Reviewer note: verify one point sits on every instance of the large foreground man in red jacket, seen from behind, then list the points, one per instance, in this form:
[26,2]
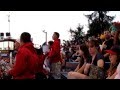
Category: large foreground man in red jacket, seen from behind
[26,64]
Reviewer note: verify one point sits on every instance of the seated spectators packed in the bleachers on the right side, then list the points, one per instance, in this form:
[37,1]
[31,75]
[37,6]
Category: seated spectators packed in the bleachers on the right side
[98,57]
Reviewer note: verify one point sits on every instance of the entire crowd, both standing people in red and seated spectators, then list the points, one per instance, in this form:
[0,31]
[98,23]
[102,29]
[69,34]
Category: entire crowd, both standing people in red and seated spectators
[92,55]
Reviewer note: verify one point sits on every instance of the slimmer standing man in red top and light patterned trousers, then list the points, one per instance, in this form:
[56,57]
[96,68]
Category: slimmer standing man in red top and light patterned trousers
[55,58]
